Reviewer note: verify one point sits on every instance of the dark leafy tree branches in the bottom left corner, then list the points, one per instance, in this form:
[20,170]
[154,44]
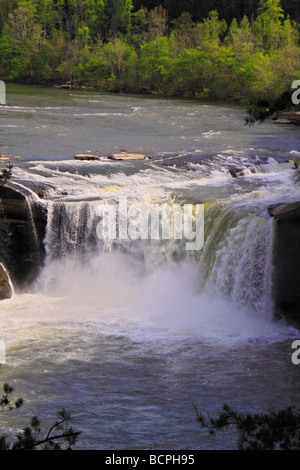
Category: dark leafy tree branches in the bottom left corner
[60,435]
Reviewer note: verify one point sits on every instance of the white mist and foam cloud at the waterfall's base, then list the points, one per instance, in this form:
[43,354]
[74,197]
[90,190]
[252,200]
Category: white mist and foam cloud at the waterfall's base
[110,295]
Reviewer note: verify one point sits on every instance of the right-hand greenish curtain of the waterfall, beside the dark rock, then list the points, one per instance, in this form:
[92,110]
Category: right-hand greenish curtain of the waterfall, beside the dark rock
[237,257]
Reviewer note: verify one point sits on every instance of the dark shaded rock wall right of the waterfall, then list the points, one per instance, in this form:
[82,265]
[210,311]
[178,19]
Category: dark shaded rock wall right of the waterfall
[287,261]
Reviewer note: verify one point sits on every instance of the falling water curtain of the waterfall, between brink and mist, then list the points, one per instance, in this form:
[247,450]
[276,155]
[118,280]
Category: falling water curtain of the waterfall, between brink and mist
[235,263]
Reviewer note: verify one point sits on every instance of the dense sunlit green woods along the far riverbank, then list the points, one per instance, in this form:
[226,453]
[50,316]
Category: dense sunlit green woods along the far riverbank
[213,50]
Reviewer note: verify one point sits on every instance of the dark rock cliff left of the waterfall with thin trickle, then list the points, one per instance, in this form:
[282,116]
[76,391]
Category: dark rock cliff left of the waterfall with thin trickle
[22,231]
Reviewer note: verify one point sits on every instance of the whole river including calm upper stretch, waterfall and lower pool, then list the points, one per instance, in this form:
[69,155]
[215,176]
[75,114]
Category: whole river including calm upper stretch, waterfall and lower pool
[127,335]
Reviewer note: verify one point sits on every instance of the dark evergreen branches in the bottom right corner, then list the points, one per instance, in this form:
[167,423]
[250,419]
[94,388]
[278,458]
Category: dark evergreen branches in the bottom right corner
[273,430]
